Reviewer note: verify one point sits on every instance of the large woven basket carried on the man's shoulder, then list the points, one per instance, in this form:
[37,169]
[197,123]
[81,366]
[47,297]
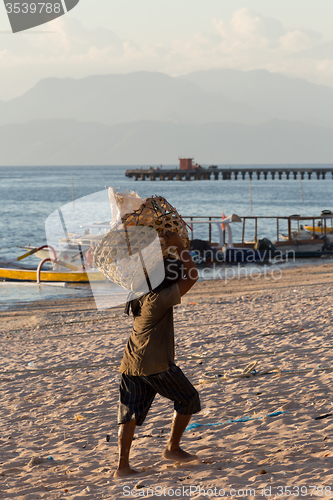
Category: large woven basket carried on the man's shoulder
[130,247]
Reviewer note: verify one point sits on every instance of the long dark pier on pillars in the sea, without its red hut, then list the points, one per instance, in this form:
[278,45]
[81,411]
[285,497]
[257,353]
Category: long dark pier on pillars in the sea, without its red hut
[215,173]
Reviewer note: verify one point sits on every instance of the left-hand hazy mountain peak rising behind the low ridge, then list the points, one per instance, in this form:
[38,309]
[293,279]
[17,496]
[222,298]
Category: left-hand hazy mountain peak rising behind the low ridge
[114,99]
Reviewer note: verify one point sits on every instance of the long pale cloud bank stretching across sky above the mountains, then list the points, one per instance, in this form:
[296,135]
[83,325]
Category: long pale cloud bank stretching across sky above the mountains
[247,41]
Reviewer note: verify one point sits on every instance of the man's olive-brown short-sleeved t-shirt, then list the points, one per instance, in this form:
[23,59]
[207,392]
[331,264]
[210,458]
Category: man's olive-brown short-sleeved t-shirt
[151,346]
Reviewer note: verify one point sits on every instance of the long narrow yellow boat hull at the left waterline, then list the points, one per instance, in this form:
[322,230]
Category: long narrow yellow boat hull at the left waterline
[11,274]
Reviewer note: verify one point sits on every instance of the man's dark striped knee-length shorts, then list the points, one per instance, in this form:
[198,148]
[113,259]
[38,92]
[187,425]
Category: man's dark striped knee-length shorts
[136,394]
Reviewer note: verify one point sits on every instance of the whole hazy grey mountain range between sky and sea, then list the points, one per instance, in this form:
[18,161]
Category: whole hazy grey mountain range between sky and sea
[217,116]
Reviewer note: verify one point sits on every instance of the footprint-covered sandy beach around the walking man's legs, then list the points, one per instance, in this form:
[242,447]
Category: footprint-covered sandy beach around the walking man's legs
[259,351]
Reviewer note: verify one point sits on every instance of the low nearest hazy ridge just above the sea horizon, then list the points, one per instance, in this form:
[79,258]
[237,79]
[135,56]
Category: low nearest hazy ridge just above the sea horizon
[69,142]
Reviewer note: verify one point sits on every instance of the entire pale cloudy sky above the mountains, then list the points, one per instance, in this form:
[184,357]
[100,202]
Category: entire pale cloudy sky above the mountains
[292,37]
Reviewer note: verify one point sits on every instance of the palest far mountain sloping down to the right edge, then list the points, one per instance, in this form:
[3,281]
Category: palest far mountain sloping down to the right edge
[277,95]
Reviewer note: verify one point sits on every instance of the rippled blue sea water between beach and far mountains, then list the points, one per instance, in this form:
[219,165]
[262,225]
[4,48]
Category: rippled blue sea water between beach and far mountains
[28,195]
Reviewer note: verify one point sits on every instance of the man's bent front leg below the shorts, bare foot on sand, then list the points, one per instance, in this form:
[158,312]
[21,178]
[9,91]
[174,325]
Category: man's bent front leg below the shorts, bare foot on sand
[173,450]
